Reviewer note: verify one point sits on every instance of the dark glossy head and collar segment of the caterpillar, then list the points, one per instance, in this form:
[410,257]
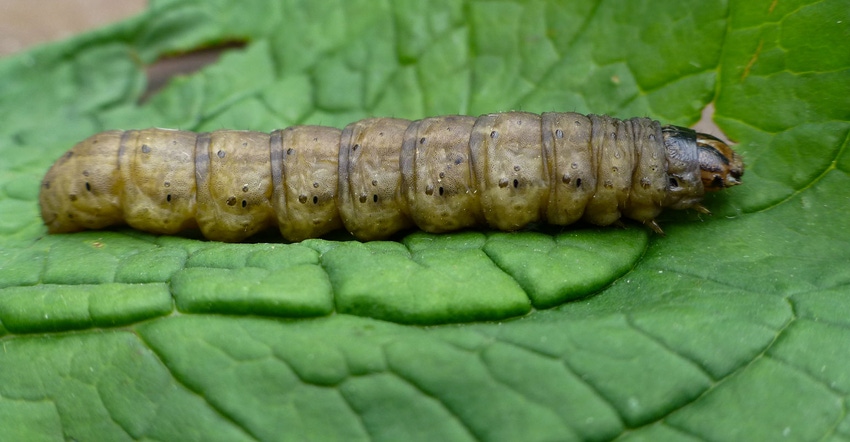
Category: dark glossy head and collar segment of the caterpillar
[697,163]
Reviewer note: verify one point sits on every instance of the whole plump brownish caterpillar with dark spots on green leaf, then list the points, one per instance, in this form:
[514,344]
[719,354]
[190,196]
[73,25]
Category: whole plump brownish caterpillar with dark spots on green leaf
[381,175]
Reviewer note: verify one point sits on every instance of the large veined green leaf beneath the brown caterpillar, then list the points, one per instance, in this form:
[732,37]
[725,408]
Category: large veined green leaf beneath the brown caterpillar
[731,327]
